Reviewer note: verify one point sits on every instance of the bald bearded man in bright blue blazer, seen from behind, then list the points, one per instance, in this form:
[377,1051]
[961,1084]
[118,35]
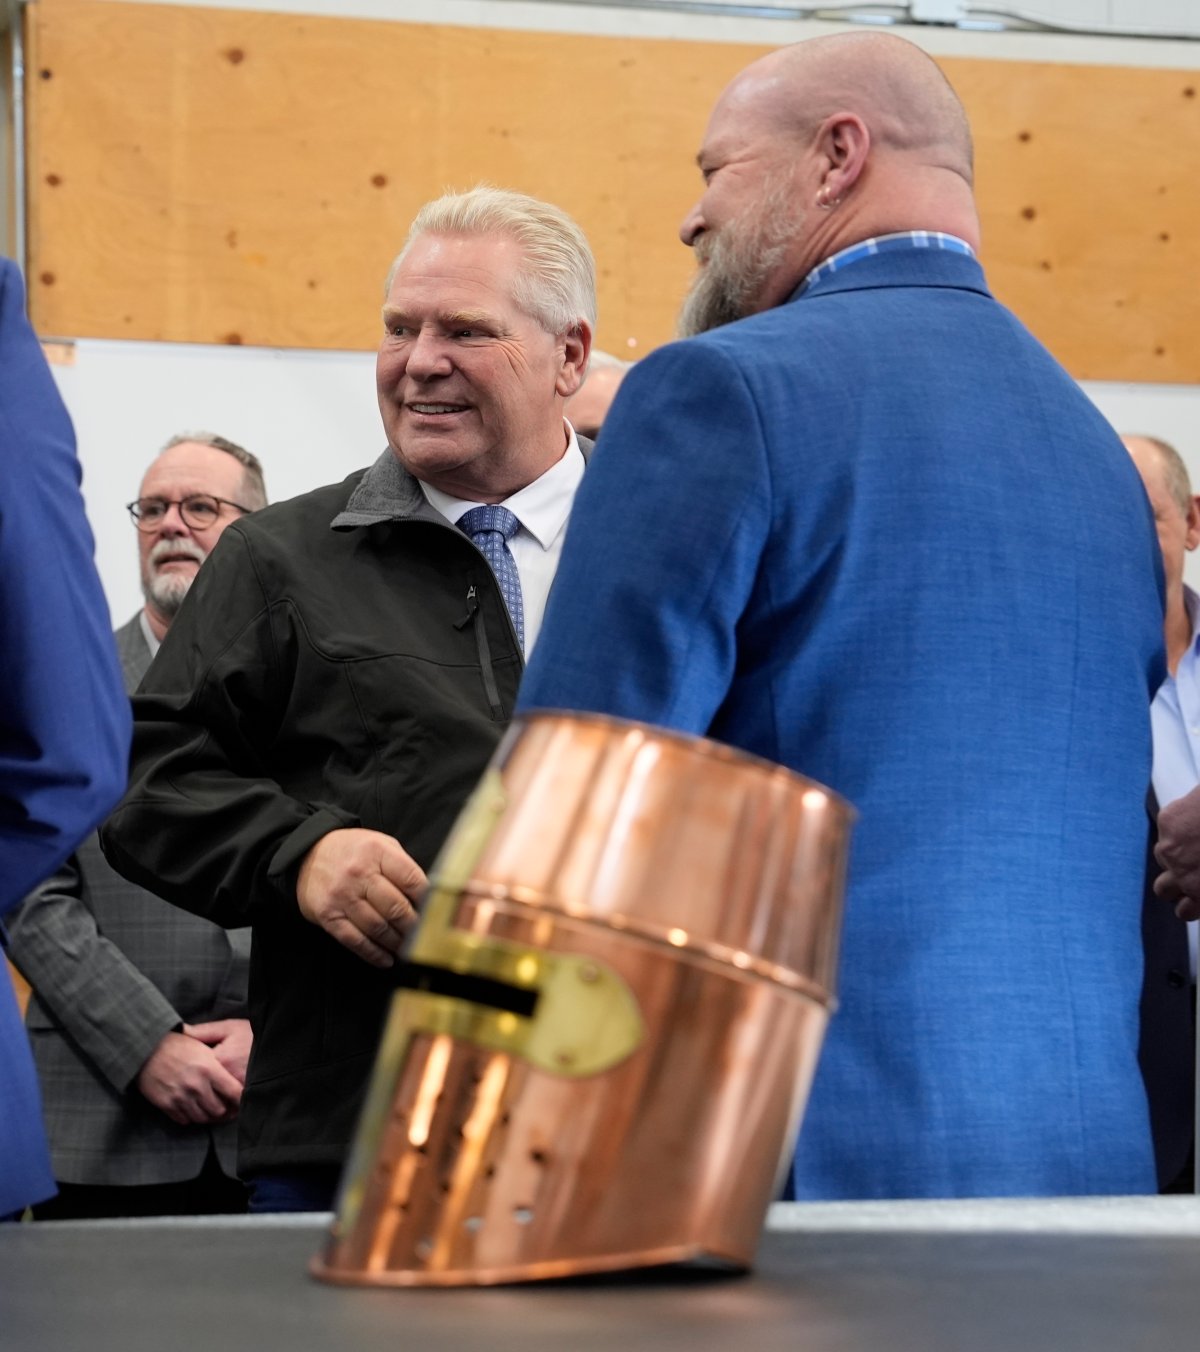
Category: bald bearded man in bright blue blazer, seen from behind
[864,525]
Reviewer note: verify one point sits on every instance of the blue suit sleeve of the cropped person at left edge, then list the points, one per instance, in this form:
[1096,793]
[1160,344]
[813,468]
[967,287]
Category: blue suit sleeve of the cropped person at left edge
[64,715]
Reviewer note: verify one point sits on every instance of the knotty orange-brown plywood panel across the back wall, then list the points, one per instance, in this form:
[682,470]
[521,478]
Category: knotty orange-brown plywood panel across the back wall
[226,176]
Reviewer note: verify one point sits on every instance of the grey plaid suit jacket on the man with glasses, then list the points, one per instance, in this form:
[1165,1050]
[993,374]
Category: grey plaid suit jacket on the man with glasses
[113,970]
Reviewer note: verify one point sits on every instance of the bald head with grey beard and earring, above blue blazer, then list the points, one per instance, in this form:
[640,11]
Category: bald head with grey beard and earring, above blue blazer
[816,148]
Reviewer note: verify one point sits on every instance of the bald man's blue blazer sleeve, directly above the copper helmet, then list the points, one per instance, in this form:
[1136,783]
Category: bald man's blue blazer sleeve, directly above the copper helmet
[664,546]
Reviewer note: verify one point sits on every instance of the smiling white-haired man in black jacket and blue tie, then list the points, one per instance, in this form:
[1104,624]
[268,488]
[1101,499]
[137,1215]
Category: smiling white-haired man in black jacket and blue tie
[344,669]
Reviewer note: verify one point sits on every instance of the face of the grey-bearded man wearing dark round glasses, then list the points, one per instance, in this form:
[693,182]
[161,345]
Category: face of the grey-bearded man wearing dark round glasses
[172,554]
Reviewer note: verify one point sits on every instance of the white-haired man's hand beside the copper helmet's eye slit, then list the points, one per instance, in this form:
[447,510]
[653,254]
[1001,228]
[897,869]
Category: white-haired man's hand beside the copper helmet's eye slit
[361,888]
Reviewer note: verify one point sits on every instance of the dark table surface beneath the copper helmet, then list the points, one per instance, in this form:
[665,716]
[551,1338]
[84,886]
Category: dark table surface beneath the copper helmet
[1118,1274]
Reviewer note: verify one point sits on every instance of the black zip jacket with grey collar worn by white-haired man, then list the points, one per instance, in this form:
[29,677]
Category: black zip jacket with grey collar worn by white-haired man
[344,659]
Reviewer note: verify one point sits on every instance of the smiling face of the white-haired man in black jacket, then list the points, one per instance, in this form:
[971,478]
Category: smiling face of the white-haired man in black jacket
[471,387]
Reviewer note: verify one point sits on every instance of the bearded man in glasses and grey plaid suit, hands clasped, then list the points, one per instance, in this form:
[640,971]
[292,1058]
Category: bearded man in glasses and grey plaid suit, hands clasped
[139,1015]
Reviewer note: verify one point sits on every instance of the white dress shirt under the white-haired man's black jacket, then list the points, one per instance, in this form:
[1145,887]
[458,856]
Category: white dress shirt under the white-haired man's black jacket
[543,509]
